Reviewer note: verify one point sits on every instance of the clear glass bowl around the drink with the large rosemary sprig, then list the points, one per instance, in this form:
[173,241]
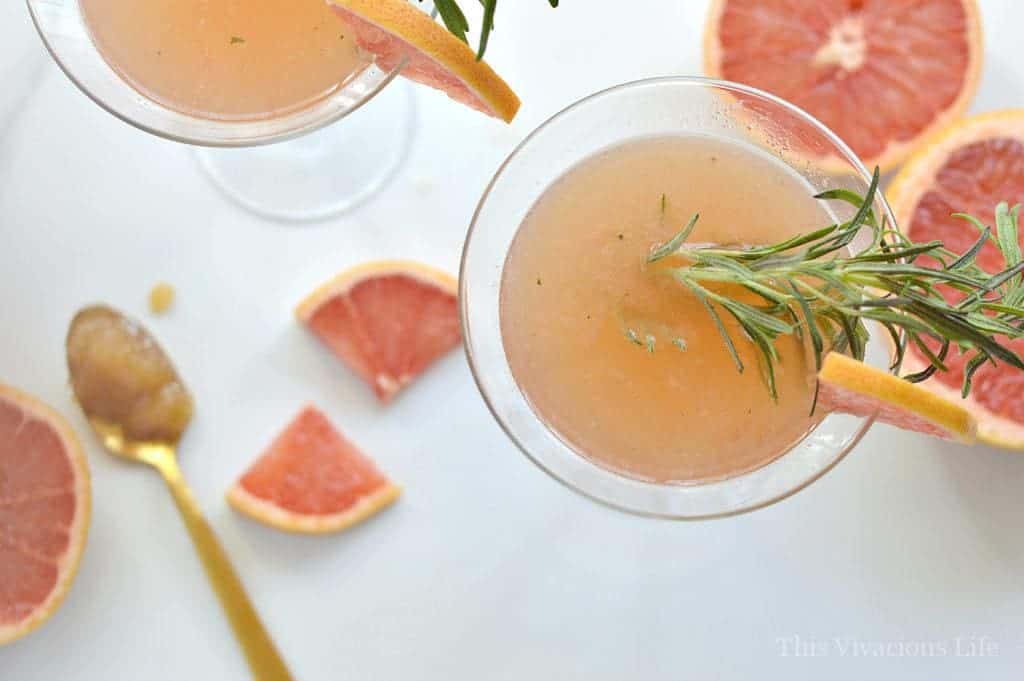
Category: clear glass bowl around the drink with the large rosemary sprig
[645,109]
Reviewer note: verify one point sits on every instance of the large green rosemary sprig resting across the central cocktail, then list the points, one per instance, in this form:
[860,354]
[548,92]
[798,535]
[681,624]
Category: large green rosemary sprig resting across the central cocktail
[815,287]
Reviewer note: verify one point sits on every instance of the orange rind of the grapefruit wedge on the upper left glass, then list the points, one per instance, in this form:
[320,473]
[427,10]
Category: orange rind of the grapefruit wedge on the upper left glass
[451,56]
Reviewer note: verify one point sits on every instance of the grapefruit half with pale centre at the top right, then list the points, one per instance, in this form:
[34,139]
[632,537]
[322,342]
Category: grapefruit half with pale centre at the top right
[882,75]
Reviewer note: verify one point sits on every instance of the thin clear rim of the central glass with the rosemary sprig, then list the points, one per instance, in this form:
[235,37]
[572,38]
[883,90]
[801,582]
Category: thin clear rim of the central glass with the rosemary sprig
[847,155]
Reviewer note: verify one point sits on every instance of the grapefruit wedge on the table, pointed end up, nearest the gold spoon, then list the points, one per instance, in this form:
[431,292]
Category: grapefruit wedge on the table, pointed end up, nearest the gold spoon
[313,481]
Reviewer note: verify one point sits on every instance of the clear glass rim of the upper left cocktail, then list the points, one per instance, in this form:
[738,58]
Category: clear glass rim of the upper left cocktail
[289,125]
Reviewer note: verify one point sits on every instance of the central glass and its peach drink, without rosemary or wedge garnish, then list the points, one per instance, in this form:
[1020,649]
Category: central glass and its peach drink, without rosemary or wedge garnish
[591,353]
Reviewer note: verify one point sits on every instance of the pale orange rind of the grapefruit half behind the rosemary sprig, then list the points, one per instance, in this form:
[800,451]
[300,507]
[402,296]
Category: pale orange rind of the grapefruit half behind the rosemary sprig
[907,191]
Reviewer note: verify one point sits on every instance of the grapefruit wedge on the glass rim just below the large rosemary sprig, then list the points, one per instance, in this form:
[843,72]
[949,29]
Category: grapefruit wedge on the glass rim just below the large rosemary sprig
[852,388]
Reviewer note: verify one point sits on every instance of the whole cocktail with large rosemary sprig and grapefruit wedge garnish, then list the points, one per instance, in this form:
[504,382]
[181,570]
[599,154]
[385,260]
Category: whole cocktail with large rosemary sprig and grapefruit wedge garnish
[673,305]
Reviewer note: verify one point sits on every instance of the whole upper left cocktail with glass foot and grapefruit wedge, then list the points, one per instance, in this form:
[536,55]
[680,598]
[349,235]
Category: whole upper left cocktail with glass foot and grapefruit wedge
[226,73]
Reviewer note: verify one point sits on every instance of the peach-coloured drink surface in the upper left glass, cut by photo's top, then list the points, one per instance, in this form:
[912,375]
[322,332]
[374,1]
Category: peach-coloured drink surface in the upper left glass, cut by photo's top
[226,60]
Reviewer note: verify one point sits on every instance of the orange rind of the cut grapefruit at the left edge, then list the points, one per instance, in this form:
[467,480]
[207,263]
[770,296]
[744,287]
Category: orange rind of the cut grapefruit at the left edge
[78,533]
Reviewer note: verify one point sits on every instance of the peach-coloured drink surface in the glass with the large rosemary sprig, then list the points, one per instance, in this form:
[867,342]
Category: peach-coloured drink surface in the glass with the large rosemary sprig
[576,283]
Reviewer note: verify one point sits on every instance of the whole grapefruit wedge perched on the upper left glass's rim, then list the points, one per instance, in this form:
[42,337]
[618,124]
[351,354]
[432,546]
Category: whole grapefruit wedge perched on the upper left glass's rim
[399,34]
